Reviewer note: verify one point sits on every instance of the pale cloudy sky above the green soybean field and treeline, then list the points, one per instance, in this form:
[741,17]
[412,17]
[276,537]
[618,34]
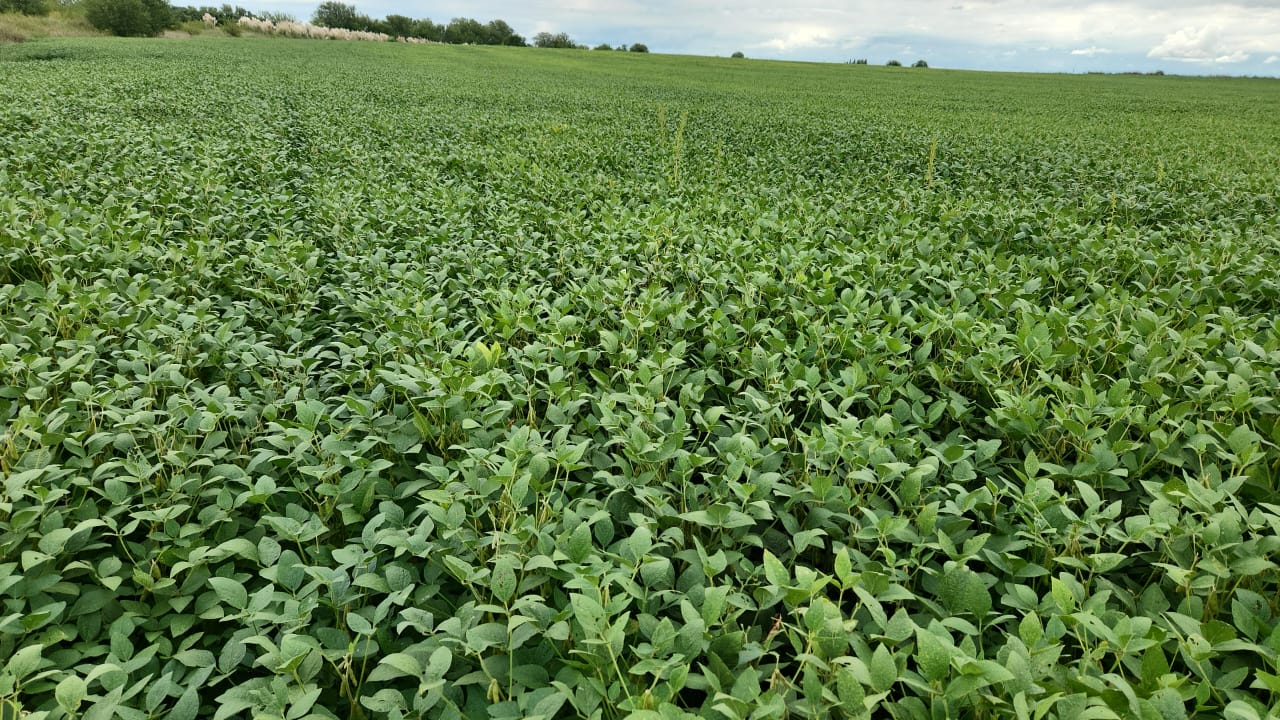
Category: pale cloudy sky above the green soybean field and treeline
[1176,37]
